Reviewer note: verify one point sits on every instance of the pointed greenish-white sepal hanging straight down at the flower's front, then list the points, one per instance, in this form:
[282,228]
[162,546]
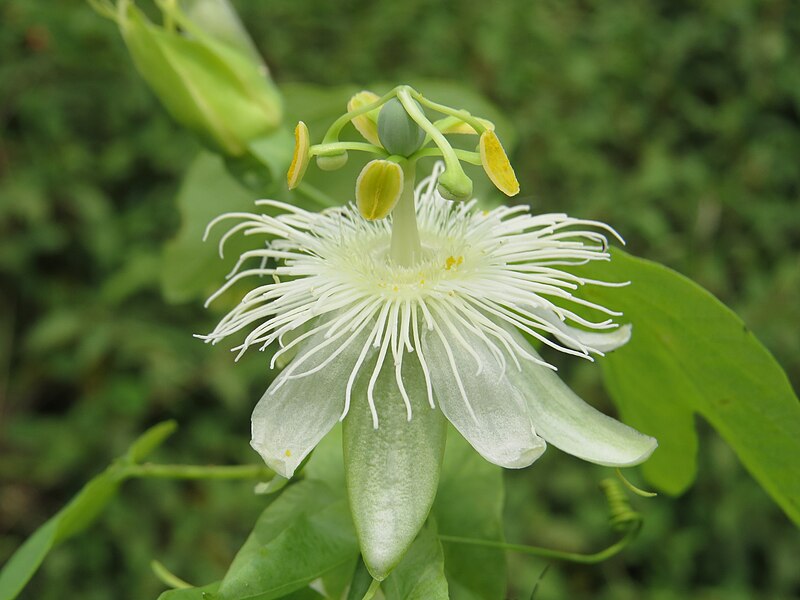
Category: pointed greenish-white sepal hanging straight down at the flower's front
[392,472]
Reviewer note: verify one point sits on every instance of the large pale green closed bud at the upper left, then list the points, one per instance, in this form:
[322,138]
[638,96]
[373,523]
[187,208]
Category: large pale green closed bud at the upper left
[213,87]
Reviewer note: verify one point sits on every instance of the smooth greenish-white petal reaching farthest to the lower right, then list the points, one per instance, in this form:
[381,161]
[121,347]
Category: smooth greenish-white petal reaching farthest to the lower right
[571,425]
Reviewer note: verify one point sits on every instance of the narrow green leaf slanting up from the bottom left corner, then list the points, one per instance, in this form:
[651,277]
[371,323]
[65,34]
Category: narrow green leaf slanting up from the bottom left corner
[76,516]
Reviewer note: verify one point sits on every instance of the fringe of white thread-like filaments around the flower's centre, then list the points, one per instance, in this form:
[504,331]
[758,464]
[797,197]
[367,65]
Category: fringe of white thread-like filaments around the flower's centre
[481,271]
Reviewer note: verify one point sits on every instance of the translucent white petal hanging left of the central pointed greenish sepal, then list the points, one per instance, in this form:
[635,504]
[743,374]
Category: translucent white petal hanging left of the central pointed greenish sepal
[296,413]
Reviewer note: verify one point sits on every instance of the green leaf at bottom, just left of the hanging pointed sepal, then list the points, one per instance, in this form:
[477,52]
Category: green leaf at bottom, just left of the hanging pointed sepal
[301,536]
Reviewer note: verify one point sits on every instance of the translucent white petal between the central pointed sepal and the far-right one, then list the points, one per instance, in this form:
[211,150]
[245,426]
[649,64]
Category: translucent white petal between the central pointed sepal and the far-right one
[475,394]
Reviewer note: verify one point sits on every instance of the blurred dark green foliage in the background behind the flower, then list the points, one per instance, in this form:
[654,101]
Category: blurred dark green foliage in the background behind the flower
[678,122]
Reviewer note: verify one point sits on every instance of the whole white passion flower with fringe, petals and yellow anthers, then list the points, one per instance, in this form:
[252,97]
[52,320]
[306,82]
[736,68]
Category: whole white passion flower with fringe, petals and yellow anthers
[403,311]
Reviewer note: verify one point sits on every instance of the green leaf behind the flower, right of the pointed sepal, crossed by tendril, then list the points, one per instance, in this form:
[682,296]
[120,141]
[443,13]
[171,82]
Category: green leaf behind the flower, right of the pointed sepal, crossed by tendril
[469,504]
